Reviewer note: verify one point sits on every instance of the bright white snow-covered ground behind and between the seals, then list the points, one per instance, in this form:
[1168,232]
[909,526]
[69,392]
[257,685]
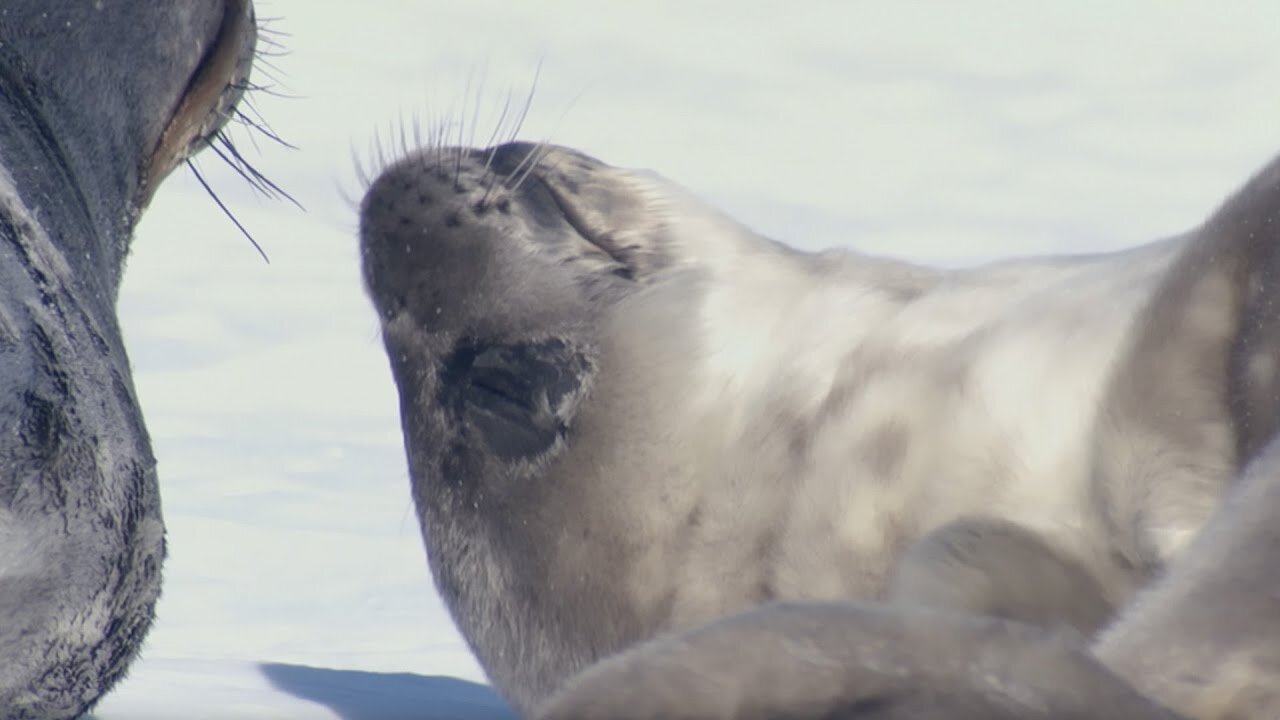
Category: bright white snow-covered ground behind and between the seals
[296,585]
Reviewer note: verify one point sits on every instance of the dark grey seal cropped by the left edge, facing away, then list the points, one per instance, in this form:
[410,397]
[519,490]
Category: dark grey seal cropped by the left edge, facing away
[99,102]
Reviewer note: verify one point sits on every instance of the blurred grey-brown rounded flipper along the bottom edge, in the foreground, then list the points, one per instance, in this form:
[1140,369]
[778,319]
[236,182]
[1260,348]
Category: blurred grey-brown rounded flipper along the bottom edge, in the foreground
[847,662]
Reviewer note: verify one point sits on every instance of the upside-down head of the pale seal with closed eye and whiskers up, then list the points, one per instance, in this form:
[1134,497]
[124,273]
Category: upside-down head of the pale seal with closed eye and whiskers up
[538,309]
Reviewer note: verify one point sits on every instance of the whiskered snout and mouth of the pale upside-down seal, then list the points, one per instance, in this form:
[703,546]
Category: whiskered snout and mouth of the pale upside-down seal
[447,224]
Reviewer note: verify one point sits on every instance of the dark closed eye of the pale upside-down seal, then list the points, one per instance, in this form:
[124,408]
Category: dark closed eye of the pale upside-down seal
[520,398]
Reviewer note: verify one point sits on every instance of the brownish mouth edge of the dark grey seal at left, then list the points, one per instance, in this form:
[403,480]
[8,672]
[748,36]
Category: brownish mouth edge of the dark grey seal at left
[216,88]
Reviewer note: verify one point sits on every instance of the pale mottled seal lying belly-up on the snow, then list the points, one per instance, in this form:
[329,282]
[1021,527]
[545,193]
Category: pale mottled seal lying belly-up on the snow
[627,416]
